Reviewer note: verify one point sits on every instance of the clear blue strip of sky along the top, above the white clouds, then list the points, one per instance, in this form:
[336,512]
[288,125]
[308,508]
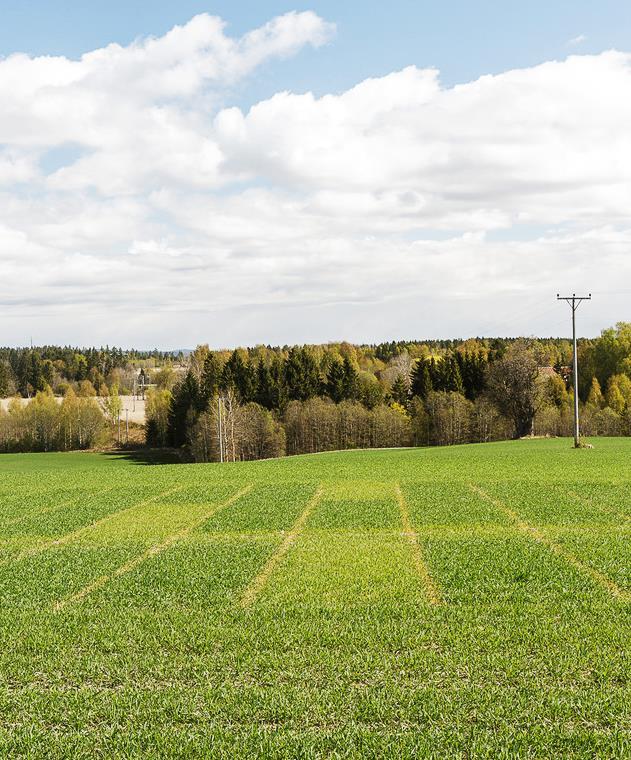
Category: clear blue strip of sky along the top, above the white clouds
[463,39]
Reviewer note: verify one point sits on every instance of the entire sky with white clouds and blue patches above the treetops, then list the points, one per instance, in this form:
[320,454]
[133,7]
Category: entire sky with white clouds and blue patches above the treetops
[237,173]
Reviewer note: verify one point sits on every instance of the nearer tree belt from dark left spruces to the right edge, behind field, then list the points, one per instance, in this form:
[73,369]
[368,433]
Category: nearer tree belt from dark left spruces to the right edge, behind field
[315,398]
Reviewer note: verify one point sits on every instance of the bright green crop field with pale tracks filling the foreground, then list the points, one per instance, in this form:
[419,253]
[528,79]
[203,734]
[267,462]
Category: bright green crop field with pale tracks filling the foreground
[467,601]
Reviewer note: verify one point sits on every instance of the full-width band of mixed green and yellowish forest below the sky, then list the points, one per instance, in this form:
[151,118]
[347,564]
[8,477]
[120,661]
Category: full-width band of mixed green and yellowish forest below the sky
[265,401]
